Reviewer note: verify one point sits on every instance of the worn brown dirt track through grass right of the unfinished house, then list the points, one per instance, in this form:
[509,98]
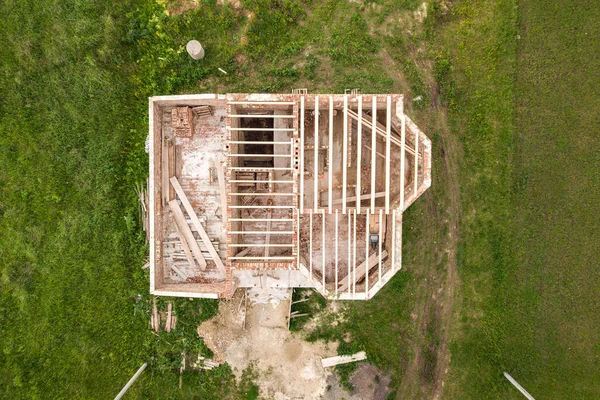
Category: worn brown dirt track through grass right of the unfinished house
[432,313]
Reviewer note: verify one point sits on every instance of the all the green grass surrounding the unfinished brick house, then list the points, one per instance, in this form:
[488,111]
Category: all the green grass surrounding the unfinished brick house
[509,94]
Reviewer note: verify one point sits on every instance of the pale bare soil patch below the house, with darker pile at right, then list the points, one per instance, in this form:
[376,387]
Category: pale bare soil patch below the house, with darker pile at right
[287,367]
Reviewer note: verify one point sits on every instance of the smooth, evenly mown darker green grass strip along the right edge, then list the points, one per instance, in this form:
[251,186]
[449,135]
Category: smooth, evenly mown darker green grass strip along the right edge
[552,339]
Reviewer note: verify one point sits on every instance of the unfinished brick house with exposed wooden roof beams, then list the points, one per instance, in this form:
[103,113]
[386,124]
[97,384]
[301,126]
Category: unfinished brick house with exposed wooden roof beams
[280,191]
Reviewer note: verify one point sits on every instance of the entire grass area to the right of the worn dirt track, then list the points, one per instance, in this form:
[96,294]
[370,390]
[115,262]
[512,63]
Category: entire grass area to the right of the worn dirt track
[526,94]
